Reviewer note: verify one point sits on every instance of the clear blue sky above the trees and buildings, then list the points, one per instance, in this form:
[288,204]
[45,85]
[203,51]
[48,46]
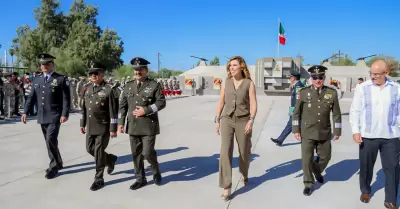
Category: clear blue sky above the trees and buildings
[179,29]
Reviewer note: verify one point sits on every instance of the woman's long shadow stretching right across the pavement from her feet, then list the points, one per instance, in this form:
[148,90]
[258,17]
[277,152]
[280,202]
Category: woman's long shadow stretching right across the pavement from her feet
[279,171]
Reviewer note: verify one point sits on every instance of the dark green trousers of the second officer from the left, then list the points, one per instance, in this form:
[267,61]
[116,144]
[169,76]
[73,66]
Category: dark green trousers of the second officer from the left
[96,146]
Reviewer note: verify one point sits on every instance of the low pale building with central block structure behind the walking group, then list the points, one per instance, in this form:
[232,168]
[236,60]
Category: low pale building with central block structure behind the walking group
[271,75]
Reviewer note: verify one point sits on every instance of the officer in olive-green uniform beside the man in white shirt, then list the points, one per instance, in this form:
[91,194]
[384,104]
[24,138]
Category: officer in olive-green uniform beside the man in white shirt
[311,124]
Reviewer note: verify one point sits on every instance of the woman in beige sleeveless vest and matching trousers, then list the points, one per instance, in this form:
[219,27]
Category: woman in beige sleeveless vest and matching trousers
[238,100]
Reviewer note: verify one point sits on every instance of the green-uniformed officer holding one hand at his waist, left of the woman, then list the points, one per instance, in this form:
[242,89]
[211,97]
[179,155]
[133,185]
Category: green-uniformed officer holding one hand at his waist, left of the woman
[140,102]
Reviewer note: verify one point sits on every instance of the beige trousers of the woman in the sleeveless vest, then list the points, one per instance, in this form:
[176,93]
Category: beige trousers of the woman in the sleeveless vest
[233,127]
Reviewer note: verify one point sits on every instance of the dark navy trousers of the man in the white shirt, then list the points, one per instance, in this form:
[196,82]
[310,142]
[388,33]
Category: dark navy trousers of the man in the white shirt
[389,150]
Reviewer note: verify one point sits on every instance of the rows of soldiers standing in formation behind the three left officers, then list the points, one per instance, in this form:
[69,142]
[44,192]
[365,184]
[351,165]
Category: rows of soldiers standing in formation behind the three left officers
[14,90]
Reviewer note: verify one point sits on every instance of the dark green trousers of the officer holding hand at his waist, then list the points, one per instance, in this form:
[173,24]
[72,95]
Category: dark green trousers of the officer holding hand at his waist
[143,148]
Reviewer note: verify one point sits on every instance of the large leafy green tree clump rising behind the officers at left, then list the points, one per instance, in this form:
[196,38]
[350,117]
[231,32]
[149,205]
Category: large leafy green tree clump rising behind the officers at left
[75,37]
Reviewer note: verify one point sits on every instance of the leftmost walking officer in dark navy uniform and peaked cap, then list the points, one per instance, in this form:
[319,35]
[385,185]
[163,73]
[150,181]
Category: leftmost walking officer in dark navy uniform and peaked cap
[52,94]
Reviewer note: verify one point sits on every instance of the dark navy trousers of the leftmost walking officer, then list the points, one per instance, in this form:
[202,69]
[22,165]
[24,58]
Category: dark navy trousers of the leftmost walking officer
[50,132]
